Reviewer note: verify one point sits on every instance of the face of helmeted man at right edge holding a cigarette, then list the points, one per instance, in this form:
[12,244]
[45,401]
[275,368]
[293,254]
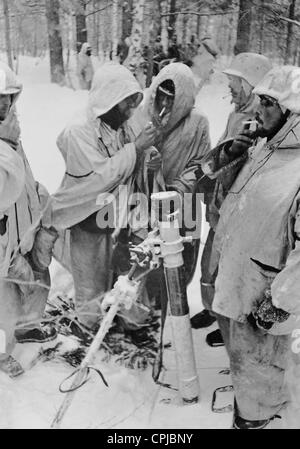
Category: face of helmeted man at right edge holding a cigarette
[269,116]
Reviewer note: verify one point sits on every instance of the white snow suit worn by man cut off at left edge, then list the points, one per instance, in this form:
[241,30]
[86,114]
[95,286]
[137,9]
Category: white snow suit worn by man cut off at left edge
[20,216]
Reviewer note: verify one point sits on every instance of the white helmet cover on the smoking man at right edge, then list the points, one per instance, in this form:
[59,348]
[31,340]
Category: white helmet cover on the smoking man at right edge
[283,84]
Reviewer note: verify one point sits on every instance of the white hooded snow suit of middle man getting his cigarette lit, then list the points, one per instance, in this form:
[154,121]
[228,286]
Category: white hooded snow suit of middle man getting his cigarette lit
[184,140]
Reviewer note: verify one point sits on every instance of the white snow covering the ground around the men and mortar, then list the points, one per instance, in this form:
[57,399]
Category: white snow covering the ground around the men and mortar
[132,399]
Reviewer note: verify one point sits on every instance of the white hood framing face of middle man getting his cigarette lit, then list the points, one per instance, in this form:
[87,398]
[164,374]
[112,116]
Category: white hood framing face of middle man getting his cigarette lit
[185,92]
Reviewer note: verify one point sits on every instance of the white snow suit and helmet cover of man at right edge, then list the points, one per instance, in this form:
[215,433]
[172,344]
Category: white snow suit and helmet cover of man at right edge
[256,248]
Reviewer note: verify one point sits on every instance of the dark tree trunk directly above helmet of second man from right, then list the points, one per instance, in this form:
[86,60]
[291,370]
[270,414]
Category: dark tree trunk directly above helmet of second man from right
[244,27]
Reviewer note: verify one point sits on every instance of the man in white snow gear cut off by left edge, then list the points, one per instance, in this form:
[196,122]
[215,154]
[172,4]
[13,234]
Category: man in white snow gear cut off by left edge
[25,244]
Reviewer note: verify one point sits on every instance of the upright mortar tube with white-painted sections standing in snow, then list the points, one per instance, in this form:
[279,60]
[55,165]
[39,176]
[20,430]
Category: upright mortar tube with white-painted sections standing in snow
[171,249]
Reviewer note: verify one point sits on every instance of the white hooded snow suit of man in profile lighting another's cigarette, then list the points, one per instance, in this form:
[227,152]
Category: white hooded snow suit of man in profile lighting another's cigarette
[98,160]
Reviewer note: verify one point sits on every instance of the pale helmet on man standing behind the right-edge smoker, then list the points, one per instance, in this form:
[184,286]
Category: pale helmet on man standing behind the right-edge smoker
[251,67]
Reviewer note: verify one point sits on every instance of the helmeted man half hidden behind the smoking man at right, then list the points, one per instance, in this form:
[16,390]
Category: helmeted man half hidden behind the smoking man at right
[245,71]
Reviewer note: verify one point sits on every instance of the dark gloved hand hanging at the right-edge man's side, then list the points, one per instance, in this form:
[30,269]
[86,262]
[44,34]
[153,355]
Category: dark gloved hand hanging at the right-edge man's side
[267,314]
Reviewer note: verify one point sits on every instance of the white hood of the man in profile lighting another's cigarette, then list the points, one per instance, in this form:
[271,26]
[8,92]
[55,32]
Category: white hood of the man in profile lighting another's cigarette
[112,83]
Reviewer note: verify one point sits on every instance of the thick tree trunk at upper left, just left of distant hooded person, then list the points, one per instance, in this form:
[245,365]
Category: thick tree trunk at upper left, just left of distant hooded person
[55,42]
